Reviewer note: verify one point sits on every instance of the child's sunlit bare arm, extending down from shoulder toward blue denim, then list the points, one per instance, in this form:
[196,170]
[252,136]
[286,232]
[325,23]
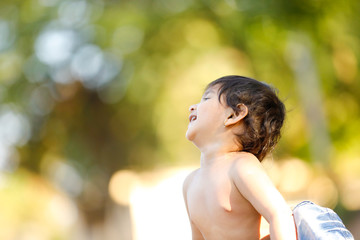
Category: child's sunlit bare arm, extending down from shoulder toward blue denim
[254,184]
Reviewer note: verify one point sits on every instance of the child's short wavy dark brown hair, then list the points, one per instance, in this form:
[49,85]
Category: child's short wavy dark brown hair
[266,113]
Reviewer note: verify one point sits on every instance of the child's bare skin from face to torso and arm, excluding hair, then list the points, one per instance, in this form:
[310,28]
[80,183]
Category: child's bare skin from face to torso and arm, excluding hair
[227,195]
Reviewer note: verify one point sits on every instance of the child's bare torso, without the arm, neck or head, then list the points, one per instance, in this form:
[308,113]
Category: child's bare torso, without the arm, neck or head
[216,208]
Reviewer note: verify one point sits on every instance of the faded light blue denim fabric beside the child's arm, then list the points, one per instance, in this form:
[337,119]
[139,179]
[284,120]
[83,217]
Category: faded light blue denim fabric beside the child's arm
[318,223]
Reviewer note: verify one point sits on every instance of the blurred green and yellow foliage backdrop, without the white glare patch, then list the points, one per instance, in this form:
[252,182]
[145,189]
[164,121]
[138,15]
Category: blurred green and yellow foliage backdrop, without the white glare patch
[89,88]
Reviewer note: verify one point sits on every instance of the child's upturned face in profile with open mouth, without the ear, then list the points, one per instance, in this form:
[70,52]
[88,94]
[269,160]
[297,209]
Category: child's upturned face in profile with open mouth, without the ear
[207,117]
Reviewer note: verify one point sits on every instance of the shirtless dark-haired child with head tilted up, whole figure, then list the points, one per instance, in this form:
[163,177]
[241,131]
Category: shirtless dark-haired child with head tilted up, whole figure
[235,125]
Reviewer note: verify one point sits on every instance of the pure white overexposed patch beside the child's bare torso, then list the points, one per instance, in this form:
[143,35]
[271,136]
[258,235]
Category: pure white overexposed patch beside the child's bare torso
[159,211]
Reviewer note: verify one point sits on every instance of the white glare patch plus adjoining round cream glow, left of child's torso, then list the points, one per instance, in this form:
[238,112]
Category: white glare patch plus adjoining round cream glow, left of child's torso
[156,203]
